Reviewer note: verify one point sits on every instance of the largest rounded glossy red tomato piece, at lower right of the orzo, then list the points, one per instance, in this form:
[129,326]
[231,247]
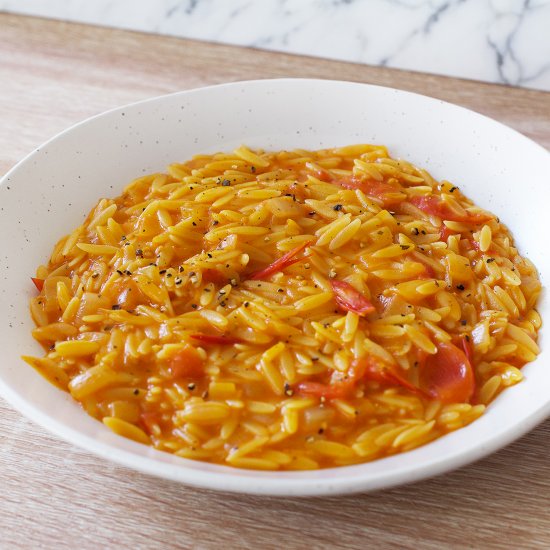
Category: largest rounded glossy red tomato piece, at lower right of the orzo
[448,375]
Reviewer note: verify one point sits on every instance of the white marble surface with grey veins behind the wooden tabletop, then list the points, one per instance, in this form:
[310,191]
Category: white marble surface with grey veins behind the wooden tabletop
[504,41]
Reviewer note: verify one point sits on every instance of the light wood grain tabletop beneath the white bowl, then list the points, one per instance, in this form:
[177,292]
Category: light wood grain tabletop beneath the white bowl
[53,495]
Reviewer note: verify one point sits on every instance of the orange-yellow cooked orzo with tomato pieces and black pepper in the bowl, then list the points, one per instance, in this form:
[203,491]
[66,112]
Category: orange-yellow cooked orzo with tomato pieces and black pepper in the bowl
[289,310]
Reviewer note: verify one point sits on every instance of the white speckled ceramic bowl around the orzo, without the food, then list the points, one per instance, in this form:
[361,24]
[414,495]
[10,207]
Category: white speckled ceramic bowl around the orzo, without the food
[49,192]
